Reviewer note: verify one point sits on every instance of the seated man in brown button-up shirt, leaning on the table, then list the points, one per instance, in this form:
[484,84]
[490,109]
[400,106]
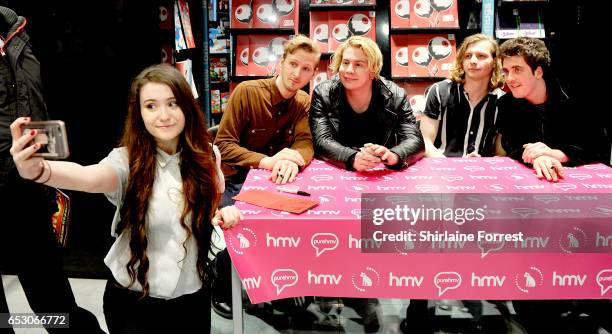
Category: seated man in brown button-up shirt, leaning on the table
[265,124]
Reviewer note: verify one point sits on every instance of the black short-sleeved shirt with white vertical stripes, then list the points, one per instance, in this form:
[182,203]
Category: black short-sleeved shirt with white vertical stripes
[461,128]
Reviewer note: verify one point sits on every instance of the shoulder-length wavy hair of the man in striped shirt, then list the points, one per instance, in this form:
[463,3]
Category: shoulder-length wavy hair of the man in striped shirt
[457,73]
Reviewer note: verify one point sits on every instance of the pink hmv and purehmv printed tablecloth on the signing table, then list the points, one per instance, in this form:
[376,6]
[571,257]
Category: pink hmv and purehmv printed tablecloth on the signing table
[321,253]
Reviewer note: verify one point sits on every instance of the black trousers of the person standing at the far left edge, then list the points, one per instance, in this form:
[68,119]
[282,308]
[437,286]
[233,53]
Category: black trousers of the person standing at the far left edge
[28,248]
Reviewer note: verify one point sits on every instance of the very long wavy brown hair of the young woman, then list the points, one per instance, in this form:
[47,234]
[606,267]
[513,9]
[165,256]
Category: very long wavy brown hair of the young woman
[199,176]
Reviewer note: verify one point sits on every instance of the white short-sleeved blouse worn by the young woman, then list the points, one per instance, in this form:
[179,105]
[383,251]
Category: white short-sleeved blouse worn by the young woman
[172,271]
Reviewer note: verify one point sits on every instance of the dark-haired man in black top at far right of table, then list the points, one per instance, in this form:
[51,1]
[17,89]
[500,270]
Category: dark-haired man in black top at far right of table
[539,122]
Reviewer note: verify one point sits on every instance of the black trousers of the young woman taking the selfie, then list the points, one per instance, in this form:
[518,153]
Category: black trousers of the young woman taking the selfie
[127,313]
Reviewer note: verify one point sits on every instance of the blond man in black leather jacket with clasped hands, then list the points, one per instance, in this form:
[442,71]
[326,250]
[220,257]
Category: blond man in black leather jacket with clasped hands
[358,119]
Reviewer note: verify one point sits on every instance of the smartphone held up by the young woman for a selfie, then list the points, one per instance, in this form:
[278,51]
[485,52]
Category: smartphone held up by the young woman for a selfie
[51,135]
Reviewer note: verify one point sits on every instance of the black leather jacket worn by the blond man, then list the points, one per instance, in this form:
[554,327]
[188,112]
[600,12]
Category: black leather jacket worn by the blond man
[401,134]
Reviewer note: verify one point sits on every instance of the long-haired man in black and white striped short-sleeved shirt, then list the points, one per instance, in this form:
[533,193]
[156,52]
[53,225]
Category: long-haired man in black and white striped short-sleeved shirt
[460,112]
